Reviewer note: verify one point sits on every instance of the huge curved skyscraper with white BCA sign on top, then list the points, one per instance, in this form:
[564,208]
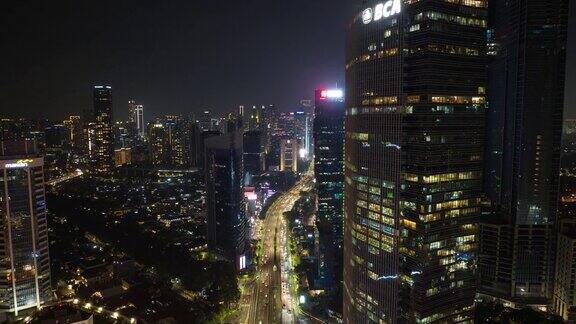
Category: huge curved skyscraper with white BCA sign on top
[415,105]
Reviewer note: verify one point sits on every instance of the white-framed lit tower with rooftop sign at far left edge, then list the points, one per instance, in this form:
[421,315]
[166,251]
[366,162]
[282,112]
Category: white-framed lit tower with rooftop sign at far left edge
[25,265]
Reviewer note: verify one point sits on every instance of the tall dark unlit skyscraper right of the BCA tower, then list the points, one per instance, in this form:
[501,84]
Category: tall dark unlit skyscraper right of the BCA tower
[527,49]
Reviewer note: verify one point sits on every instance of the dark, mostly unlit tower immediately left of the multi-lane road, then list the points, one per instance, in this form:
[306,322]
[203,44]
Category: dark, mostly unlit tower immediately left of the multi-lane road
[228,227]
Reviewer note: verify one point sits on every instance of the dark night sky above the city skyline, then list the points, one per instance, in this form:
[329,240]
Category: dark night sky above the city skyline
[177,56]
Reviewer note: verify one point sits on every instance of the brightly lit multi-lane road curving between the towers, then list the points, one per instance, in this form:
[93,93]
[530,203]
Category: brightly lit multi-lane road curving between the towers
[268,297]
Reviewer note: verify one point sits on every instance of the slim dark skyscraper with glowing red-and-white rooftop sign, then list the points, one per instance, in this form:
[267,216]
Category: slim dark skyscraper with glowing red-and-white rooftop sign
[328,171]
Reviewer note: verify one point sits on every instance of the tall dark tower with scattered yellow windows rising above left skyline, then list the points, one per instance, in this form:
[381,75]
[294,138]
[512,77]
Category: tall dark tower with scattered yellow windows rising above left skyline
[101,132]
